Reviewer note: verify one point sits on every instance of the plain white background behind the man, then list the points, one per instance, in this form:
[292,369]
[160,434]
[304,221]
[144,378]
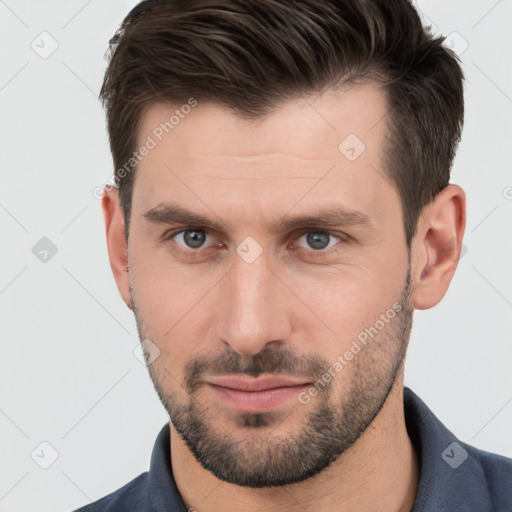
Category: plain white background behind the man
[67,369]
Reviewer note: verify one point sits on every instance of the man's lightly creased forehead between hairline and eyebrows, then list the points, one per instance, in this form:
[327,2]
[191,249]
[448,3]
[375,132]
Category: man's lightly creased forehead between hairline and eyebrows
[319,145]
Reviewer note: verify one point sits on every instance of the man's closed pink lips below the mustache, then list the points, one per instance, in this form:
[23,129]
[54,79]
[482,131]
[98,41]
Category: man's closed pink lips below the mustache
[255,395]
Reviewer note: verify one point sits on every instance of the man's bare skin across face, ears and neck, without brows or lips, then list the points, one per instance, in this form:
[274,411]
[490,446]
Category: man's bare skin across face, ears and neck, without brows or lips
[306,304]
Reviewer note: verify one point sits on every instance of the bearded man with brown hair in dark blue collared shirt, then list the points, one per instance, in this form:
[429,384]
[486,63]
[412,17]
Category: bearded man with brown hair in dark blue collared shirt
[282,205]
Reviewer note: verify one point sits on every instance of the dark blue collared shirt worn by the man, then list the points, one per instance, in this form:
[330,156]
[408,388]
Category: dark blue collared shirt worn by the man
[454,477]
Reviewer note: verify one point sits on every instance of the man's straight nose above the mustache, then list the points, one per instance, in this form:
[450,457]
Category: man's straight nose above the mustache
[252,310]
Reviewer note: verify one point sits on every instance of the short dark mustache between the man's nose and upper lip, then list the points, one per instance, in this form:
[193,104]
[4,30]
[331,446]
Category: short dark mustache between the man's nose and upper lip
[275,361]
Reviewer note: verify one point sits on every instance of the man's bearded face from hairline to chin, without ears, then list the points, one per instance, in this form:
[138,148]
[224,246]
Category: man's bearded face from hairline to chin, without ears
[246,293]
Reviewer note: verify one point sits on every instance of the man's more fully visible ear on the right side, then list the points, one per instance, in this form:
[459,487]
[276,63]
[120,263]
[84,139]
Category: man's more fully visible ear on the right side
[437,245]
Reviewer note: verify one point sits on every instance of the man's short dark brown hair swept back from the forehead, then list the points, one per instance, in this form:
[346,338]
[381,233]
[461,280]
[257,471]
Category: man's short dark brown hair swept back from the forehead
[251,55]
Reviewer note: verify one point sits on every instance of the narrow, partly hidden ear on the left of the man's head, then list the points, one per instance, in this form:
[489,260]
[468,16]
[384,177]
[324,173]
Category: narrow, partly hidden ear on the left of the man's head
[116,242]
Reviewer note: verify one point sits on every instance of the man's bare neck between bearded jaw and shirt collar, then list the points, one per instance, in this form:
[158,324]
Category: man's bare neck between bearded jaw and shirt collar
[379,471]
